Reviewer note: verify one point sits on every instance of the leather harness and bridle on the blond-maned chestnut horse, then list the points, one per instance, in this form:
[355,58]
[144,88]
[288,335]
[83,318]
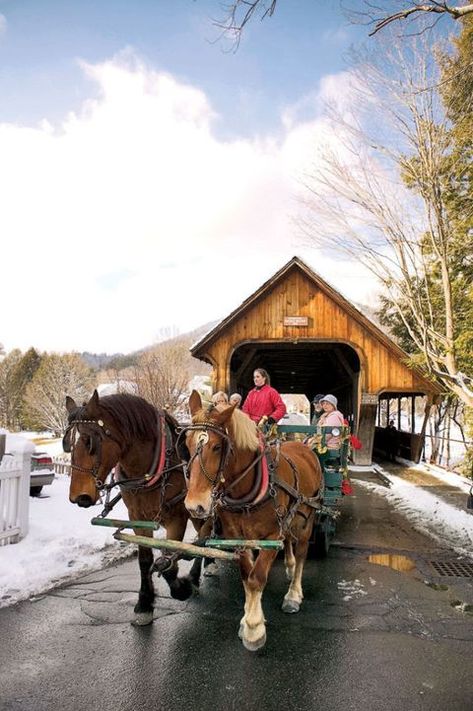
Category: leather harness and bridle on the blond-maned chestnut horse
[265,485]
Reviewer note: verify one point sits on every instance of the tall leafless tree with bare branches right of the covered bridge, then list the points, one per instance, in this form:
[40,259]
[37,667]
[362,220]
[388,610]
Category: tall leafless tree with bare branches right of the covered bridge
[376,194]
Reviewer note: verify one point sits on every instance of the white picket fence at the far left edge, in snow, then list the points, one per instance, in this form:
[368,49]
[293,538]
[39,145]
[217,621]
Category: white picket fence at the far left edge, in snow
[14,498]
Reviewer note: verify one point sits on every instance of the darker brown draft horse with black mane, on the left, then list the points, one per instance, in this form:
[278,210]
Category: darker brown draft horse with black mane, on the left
[126,432]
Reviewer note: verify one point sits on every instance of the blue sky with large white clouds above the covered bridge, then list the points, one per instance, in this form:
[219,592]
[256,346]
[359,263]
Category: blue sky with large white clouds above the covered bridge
[149,177]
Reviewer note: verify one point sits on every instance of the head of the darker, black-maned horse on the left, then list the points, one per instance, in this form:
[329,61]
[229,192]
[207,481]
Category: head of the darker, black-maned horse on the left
[94,448]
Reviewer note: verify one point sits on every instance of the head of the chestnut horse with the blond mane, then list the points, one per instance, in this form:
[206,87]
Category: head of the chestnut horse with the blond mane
[212,440]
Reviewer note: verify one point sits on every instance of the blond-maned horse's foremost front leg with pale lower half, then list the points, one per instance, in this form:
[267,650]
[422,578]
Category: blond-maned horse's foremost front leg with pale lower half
[254,628]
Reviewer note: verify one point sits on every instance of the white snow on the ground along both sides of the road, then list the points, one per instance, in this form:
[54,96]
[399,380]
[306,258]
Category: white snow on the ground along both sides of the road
[61,544]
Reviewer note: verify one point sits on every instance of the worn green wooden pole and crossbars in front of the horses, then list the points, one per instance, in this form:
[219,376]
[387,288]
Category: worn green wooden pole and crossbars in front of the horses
[211,549]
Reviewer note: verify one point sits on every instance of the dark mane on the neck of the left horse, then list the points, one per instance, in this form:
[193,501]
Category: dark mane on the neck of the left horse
[133,416]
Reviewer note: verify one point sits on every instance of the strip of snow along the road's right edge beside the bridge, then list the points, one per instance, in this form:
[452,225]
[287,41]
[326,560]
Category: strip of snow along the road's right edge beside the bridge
[427,513]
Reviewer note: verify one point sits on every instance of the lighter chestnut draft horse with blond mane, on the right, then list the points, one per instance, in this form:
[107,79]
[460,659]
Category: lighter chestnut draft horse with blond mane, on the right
[228,480]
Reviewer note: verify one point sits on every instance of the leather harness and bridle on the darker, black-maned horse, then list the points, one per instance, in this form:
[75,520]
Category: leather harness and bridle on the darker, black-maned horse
[159,470]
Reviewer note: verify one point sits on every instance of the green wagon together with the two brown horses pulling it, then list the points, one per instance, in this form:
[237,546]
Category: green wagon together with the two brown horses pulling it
[256,493]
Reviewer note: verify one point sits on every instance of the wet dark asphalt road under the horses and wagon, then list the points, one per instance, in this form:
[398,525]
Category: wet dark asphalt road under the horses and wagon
[368,637]
